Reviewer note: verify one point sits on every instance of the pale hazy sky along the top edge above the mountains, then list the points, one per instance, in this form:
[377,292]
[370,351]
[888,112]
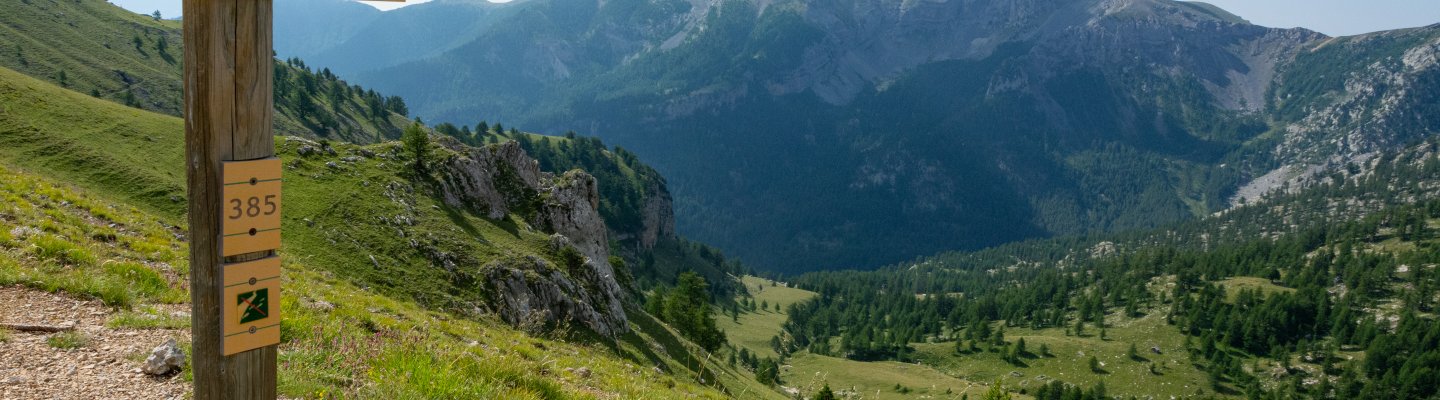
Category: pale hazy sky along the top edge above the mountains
[1334,18]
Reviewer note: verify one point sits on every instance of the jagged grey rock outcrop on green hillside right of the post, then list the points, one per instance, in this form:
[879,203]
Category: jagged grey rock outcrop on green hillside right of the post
[502,179]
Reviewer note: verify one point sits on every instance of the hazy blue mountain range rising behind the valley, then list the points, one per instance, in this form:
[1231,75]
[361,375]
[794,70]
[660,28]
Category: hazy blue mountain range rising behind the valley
[804,136]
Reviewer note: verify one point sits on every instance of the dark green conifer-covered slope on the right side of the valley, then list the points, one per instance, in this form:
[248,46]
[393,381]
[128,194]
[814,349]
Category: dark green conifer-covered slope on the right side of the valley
[1327,291]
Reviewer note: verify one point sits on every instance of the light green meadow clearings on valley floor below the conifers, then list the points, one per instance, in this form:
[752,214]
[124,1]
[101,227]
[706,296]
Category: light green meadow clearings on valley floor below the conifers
[941,371]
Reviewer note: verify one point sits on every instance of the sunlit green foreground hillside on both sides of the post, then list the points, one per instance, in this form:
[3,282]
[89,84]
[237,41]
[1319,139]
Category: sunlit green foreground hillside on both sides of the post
[371,316]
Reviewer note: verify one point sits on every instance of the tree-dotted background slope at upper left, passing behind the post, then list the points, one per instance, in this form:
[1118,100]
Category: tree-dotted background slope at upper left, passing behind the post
[107,53]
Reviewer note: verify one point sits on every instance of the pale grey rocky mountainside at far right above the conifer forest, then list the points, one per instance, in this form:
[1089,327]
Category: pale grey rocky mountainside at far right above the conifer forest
[1376,100]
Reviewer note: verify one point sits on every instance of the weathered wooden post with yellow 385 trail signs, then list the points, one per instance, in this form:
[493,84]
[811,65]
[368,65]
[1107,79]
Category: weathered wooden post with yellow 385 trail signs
[234,206]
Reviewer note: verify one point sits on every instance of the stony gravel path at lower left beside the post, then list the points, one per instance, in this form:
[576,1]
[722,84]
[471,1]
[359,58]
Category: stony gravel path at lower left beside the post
[107,368]
